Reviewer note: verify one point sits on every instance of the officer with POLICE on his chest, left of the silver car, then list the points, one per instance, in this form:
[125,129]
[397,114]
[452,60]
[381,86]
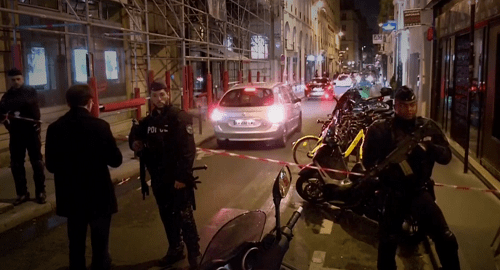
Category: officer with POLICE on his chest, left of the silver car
[166,140]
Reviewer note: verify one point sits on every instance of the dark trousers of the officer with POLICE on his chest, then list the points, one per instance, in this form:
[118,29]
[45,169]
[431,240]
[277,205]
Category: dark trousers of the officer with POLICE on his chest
[176,212]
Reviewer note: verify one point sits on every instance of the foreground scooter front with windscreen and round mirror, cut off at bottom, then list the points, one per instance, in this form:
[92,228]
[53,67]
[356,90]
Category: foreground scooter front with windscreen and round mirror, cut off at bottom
[237,245]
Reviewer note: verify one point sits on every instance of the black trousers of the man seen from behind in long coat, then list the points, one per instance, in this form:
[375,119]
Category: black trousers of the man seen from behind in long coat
[99,233]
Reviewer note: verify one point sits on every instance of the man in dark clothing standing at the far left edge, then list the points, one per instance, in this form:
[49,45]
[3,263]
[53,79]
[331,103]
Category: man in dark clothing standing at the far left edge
[21,101]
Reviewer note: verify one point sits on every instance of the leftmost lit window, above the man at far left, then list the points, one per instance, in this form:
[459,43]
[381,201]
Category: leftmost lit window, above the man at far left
[37,67]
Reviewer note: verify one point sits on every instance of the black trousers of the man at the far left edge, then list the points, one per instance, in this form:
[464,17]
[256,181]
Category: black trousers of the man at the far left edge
[20,141]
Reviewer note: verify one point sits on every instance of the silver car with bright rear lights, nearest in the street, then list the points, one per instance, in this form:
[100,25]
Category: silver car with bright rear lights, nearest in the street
[265,111]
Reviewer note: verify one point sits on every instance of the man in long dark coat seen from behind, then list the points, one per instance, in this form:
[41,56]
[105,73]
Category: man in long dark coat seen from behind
[78,150]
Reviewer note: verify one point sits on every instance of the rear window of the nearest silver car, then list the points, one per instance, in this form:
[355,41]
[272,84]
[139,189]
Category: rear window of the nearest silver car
[248,97]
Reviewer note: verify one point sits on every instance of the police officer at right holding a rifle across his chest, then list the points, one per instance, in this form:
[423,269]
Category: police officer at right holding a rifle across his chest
[408,185]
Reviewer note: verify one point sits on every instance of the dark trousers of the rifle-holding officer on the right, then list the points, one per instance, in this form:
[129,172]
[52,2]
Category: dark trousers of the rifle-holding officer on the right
[430,220]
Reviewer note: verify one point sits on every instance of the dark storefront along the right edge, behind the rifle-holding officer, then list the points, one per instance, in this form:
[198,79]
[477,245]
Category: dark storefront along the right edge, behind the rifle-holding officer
[451,94]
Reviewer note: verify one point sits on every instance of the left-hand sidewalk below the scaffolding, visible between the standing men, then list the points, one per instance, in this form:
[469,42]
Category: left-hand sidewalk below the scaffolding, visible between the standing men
[11,216]
